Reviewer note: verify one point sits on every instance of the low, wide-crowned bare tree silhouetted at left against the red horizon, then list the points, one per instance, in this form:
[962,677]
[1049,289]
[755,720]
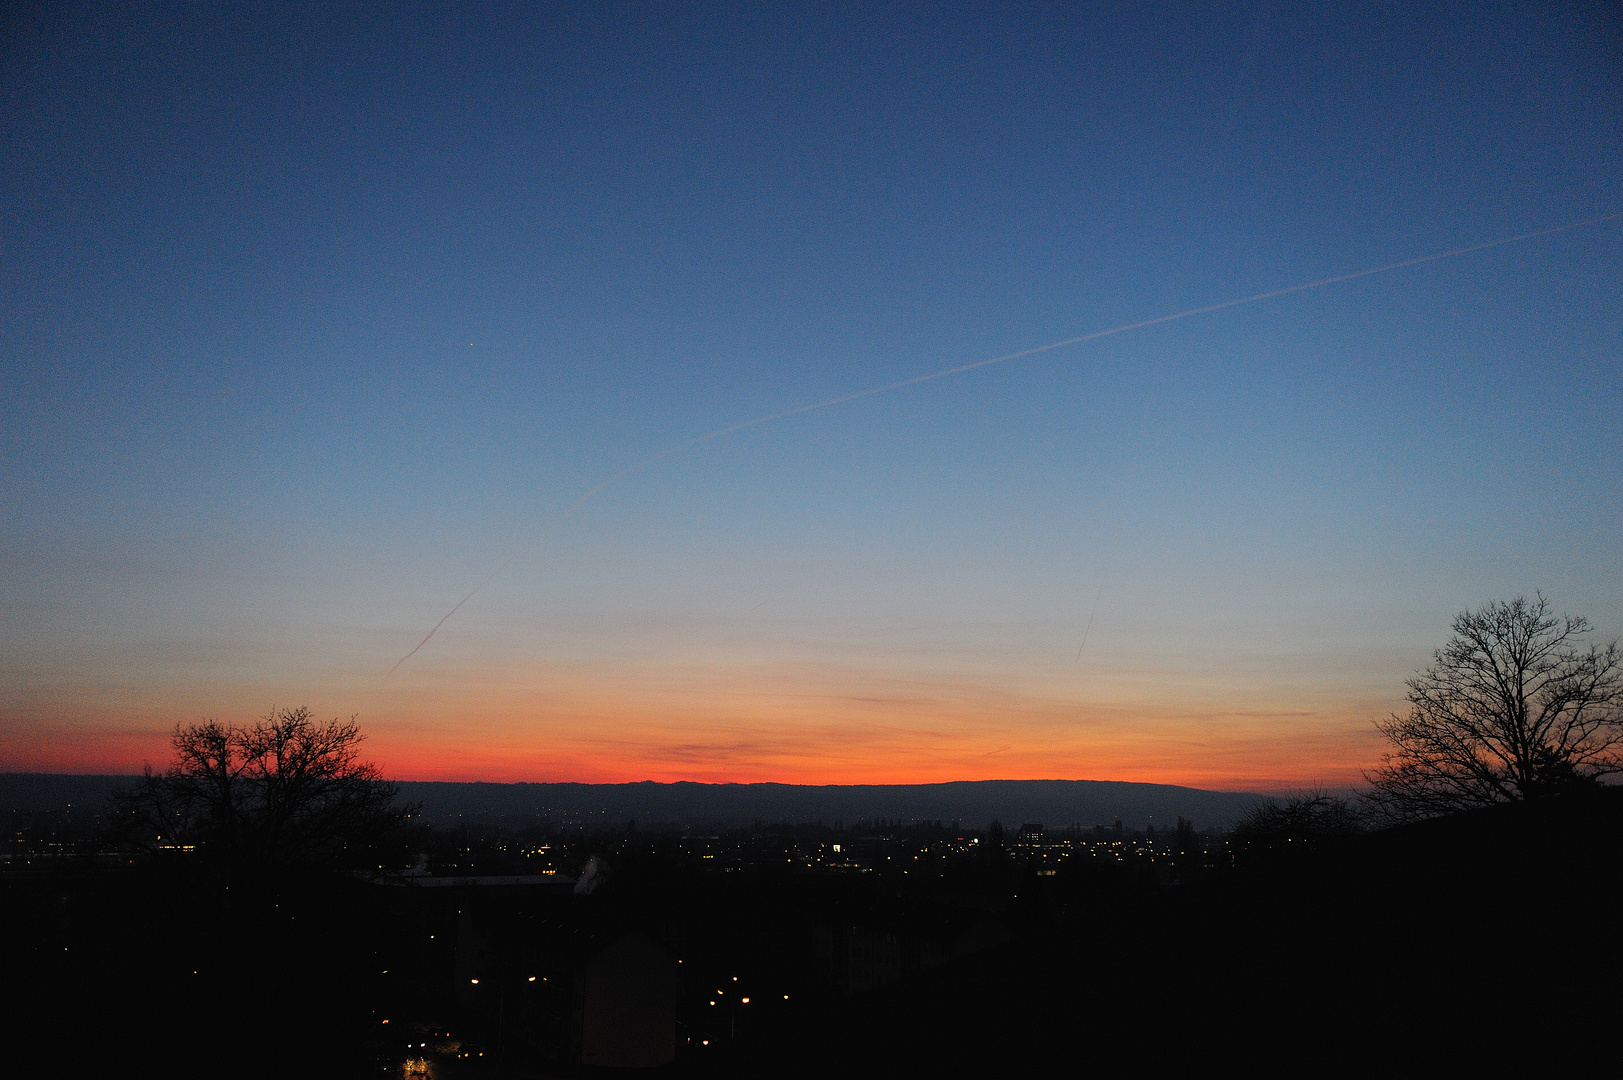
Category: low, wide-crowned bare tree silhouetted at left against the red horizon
[285,795]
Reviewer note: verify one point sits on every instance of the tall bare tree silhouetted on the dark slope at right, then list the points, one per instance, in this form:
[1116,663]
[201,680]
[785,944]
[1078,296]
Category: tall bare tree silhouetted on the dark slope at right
[1512,709]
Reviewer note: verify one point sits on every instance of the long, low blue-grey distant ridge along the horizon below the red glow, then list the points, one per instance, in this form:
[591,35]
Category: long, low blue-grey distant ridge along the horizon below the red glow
[973,803]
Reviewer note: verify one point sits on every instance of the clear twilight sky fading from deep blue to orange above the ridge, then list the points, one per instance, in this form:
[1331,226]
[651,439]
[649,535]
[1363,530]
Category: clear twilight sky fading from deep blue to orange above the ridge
[314,321]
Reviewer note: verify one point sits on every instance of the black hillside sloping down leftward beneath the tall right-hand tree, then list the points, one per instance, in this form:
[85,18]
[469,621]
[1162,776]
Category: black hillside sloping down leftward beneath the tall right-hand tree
[1484,940]
